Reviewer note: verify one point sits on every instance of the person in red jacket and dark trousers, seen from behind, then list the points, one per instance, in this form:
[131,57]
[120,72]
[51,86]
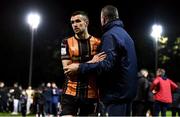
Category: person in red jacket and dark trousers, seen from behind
[162,88]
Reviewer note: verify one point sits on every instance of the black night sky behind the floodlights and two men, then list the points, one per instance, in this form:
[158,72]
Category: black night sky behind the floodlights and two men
[15,34]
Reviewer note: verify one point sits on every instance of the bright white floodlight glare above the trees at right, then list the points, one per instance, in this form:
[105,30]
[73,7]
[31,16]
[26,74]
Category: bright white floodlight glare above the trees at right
[156,31]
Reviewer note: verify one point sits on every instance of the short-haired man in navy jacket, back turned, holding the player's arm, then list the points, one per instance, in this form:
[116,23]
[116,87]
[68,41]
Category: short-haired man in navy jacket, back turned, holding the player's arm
[118,71]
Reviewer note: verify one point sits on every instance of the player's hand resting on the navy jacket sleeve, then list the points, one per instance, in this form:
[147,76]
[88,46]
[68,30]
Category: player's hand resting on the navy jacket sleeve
[98,57]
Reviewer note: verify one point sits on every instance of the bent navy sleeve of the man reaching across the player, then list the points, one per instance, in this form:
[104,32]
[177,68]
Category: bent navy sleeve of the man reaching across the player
[108,46]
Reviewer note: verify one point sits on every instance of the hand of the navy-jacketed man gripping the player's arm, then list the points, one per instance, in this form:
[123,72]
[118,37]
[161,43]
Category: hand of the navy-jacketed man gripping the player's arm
[72,69]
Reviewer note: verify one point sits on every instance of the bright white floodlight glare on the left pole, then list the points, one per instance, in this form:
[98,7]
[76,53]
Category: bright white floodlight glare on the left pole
[33,20]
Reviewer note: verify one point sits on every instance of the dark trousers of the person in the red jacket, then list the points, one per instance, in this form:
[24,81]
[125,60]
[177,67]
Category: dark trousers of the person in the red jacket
[160,107]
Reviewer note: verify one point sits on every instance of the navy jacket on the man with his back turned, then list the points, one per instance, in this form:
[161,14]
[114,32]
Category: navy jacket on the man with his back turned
[118,72]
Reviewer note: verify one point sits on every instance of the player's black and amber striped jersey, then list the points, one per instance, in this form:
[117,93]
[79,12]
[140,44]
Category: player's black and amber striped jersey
[80,51]
